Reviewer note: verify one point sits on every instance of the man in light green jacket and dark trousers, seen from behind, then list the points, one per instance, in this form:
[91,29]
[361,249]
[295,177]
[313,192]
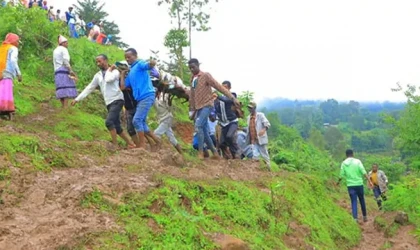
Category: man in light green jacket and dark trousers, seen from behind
[353,171]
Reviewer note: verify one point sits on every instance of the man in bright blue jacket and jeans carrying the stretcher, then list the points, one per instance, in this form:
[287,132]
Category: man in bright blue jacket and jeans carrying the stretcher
[138,79]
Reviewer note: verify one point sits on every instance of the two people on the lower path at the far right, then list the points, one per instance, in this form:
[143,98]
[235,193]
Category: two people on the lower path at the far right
[353,171]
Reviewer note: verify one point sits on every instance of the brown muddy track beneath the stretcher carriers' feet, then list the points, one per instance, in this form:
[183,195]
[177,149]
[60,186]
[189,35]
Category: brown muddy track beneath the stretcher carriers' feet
[43,210]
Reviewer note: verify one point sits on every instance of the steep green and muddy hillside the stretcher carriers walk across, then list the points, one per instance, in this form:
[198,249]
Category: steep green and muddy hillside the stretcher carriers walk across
[63,187]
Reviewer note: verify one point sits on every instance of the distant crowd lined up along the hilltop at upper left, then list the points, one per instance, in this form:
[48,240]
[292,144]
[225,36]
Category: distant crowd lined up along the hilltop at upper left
[93,30]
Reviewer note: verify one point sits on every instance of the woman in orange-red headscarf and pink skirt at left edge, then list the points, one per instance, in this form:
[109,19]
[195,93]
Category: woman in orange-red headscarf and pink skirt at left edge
[9,69]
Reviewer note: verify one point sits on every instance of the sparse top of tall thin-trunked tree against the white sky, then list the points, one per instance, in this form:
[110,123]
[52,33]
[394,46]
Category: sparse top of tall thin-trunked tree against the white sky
[189,14]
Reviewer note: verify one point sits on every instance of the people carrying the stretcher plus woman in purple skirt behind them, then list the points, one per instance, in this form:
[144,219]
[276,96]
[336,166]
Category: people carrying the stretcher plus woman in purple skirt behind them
[128,85]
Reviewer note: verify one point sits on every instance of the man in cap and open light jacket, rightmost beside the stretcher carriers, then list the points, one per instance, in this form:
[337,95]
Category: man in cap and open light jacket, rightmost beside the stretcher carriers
[257,133]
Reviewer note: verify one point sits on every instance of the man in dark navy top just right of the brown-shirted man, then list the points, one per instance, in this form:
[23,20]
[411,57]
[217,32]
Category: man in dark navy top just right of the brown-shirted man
[228,120]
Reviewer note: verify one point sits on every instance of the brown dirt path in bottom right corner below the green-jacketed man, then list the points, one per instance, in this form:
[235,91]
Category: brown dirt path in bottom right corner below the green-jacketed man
[375,239]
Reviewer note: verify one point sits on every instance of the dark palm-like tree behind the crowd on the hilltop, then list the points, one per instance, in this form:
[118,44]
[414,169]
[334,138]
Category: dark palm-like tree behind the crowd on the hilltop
[92,10]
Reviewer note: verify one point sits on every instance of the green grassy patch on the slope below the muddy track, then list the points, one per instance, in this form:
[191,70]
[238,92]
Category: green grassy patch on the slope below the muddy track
[185,213]
